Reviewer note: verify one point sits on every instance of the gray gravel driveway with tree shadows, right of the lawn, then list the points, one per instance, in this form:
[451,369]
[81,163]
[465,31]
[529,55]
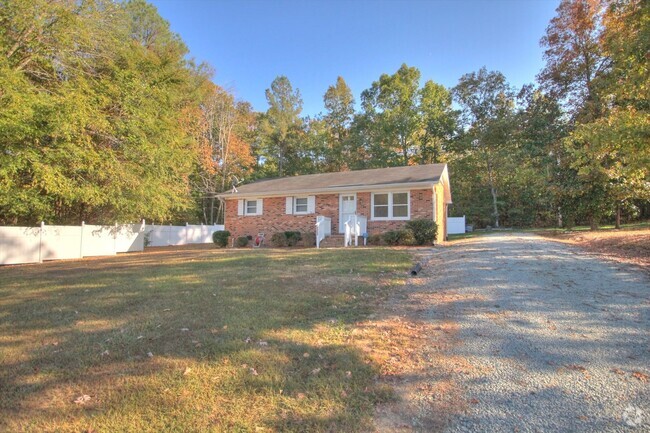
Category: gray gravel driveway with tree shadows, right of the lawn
[558,341]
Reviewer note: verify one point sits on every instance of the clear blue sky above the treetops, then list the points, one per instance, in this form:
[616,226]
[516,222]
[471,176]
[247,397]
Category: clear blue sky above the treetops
[249,43]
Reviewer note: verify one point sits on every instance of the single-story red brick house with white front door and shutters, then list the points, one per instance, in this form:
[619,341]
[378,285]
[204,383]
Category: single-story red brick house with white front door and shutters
[350,203]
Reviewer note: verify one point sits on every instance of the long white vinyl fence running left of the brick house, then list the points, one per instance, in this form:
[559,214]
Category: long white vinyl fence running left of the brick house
[36,244]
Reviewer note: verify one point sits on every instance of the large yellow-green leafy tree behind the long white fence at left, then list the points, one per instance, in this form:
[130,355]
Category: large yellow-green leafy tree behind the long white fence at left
[91,113]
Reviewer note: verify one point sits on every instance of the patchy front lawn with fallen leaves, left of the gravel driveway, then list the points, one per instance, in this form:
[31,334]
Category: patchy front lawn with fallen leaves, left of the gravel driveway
[207,340]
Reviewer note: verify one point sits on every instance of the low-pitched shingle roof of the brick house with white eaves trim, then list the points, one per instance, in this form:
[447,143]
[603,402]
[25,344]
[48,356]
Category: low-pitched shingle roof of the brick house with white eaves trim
[346,180]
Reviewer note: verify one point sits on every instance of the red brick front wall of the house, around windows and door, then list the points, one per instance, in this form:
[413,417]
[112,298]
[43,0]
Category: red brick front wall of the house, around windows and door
[275,219]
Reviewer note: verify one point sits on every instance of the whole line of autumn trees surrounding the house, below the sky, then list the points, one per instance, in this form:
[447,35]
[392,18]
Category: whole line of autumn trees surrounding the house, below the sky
[104,118]
